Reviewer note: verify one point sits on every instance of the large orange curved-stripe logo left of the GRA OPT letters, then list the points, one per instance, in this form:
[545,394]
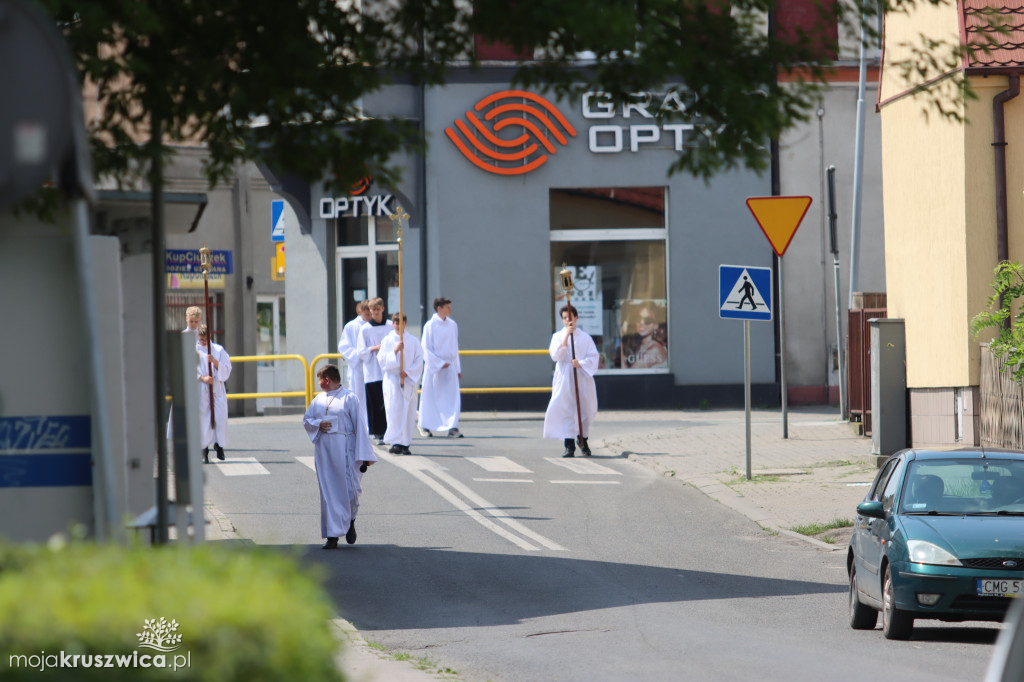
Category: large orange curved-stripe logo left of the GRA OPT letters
[481,144]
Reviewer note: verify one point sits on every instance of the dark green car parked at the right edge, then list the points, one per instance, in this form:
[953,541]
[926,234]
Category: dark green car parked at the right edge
[941,536]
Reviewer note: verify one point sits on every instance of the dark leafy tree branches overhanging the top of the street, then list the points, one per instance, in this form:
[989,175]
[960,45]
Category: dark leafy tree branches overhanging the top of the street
[282,82]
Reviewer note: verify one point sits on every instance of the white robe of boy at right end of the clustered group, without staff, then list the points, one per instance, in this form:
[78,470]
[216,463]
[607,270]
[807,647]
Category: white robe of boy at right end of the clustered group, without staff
[441,402]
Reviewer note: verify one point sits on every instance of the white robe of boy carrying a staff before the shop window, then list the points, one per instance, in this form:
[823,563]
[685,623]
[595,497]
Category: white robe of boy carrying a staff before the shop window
[562,421]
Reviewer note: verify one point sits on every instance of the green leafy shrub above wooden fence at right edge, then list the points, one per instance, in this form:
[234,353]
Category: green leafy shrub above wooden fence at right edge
[1008,286]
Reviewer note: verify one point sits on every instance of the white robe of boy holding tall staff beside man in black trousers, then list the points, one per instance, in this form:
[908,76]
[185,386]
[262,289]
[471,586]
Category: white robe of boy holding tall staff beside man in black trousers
[400,403]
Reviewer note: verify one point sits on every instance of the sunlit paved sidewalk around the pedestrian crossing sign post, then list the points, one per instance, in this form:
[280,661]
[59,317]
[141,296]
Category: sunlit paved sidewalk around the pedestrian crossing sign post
[817,476]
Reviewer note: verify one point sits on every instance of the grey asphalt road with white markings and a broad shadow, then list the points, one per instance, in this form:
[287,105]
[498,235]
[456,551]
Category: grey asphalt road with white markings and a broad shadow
[494,558]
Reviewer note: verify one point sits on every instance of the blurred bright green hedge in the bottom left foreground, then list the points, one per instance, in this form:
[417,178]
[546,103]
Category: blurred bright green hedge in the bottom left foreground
[243,615]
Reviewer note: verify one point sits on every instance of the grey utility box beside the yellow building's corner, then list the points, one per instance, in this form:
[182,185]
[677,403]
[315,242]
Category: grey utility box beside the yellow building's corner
[888,387]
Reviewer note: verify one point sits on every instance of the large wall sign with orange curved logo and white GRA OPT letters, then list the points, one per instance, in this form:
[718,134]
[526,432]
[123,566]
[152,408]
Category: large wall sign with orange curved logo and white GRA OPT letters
[535,130]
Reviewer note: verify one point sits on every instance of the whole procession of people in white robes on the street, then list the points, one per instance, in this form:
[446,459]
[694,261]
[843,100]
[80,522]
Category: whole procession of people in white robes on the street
[398,385]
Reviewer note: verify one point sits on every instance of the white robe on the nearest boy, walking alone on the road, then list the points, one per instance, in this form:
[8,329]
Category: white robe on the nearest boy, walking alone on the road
[337,455]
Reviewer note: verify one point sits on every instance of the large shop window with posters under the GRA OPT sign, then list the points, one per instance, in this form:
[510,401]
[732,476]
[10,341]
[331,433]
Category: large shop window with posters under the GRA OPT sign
[614,241]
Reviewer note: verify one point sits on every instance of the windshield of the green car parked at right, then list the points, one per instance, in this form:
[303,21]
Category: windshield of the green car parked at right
[964,487]
